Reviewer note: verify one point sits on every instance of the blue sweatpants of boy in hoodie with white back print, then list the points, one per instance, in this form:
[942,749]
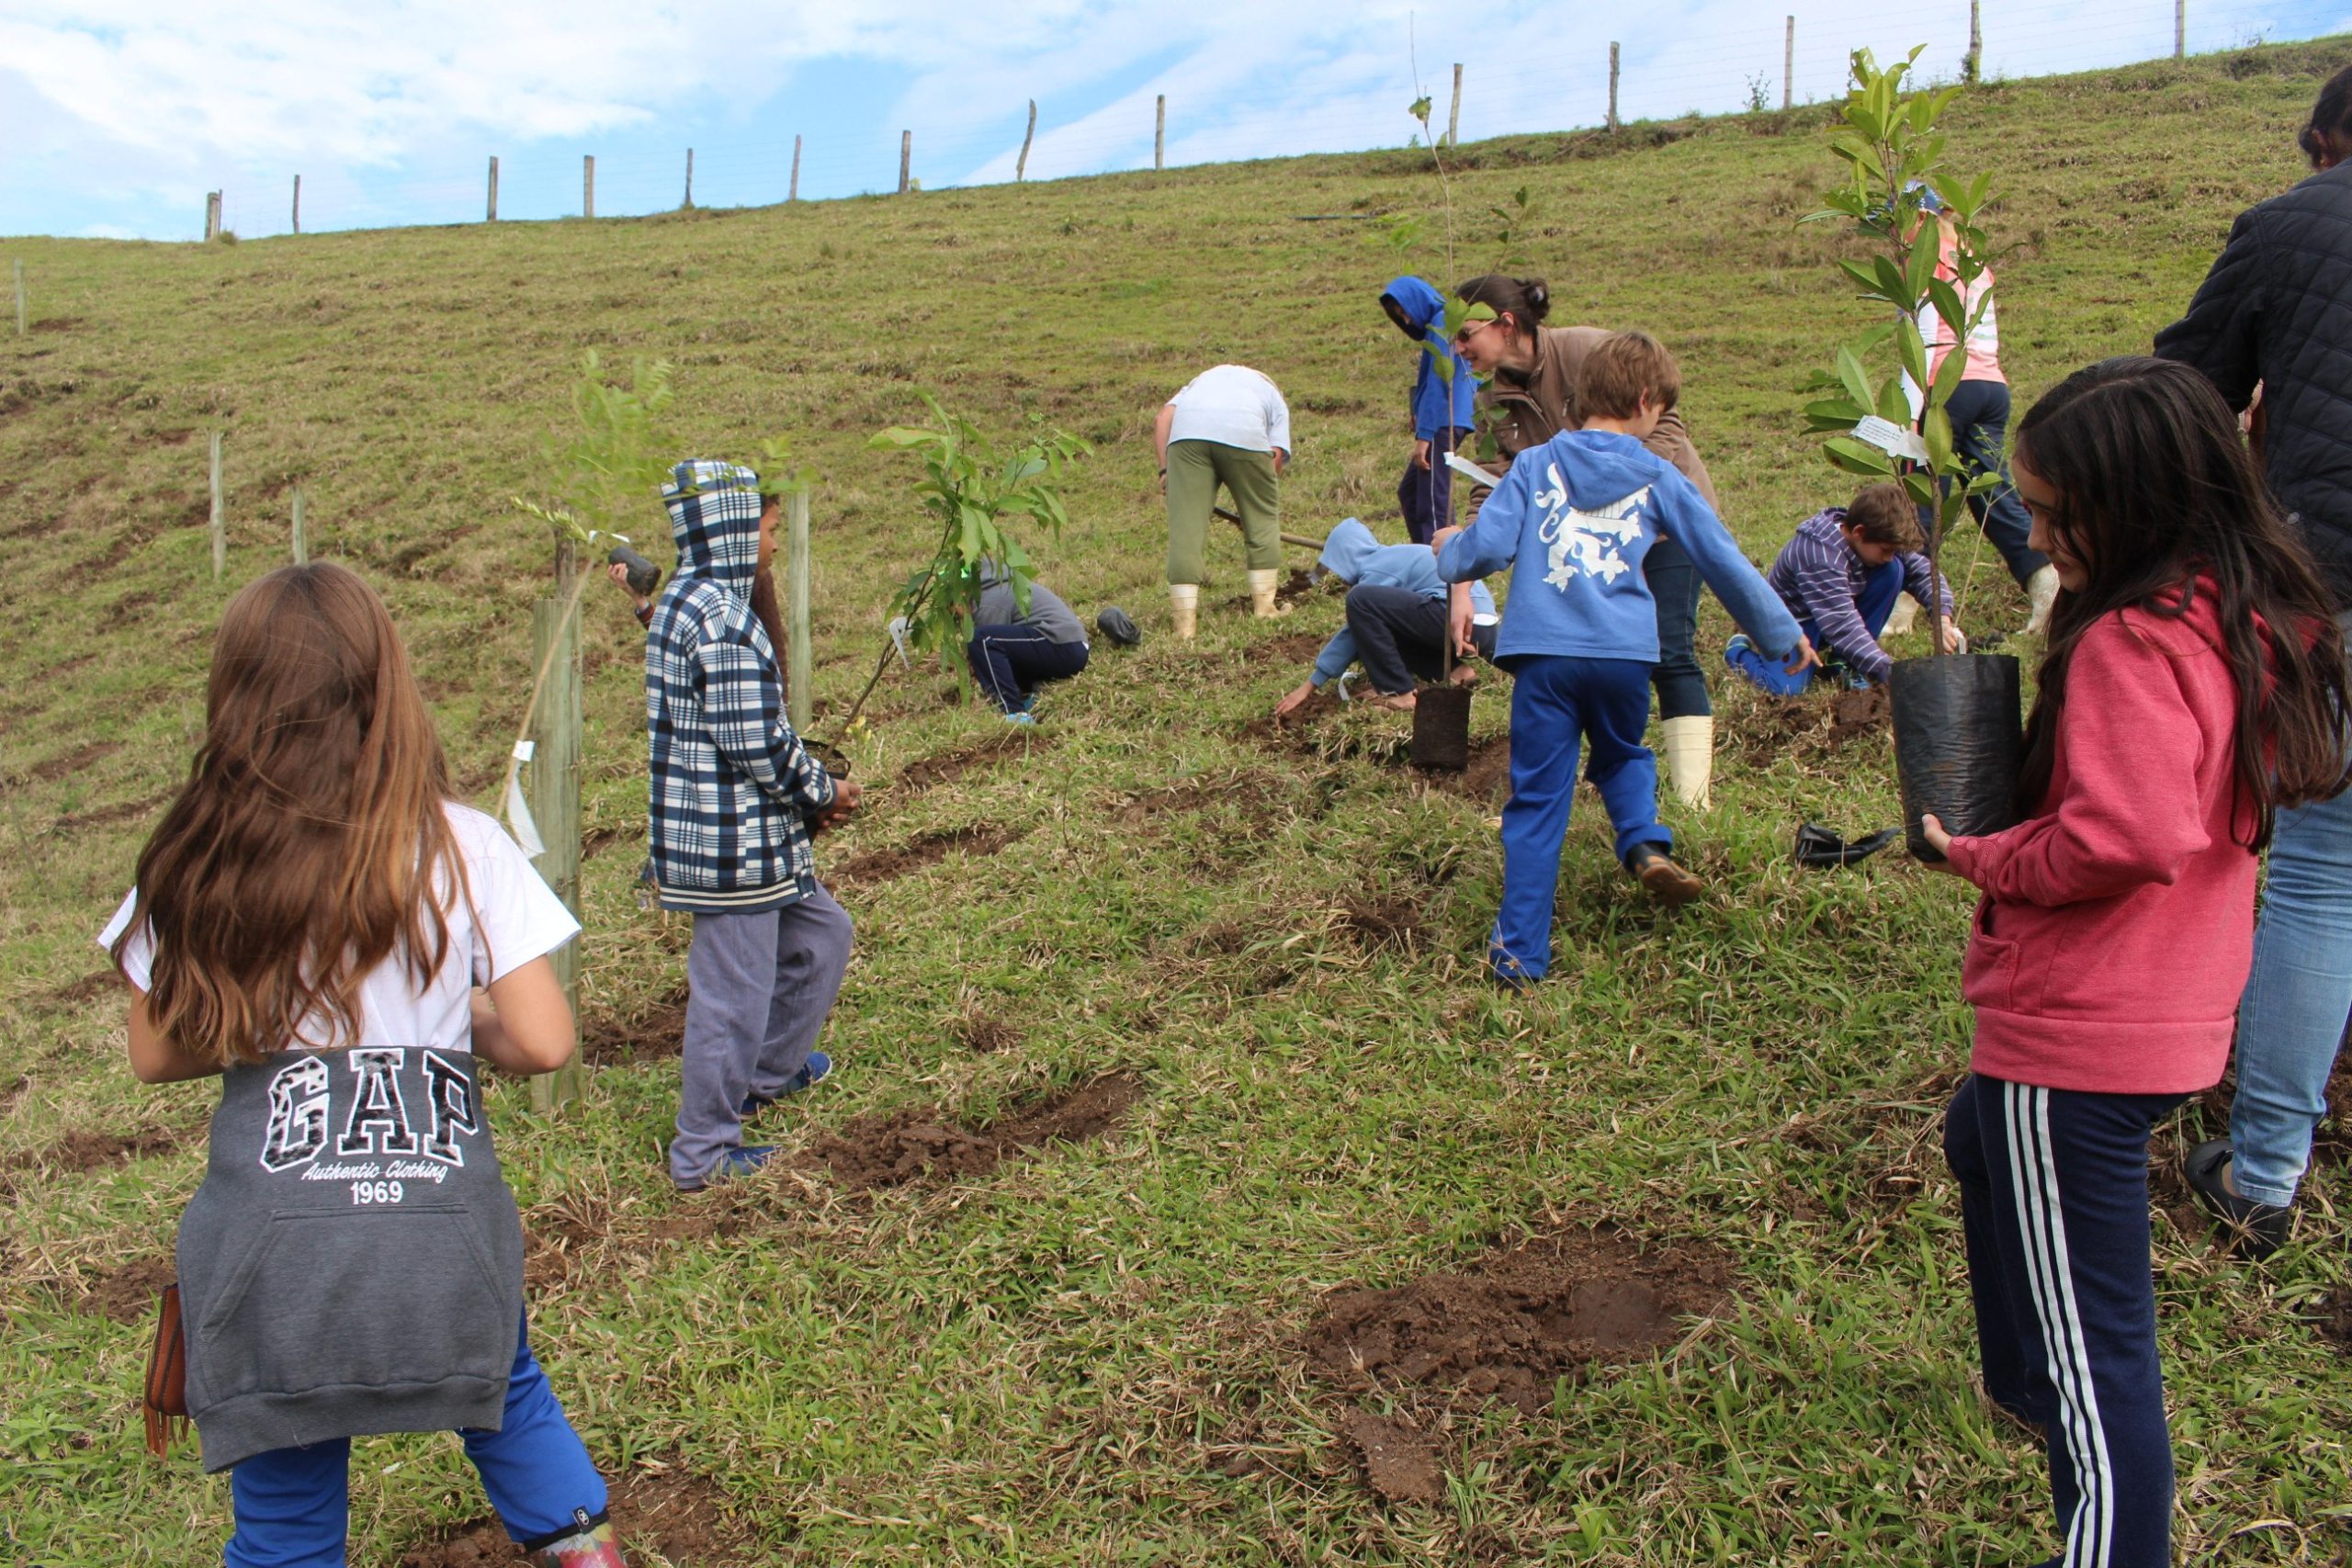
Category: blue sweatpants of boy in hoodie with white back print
[1556,706]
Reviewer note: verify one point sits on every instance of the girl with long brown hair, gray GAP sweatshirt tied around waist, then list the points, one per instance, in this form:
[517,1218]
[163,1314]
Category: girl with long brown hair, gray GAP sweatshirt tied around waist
[312,923]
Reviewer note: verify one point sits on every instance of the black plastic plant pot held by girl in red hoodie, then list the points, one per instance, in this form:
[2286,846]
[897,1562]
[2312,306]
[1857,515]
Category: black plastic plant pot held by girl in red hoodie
[1960,744]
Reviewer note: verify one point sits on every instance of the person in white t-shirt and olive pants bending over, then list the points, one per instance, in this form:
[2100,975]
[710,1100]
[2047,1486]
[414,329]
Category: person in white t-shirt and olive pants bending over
[1231,429]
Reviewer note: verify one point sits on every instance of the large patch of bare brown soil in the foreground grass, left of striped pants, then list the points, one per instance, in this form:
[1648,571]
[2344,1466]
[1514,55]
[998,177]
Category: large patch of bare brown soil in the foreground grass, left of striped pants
[1518,1322]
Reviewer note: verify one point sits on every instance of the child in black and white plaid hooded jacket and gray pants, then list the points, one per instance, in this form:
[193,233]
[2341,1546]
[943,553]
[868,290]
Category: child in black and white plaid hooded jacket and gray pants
[733,805]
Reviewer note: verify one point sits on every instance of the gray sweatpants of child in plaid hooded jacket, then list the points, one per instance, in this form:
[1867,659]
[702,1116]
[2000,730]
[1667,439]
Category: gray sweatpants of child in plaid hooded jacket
[759,991]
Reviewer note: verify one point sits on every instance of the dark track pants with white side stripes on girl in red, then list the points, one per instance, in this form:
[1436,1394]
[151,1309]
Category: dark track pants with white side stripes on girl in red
[2054,1198]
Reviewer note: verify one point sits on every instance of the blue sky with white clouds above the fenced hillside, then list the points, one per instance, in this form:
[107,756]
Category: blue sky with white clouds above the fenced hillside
[121,116]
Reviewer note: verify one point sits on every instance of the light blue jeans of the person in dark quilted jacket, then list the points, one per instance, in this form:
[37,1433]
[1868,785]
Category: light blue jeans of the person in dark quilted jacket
[2292,1014]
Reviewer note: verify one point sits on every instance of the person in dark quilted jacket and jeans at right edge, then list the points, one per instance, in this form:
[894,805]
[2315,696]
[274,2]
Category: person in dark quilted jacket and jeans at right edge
[2276,319]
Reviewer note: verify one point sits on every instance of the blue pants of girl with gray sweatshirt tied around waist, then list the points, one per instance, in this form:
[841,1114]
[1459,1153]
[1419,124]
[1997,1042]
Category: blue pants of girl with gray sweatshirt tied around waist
[295,1503]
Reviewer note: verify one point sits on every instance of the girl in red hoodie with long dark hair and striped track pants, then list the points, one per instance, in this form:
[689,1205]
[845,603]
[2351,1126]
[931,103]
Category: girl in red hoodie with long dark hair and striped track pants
[2193,683]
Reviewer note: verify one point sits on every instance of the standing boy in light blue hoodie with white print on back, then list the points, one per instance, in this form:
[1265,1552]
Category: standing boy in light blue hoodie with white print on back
[1582,638]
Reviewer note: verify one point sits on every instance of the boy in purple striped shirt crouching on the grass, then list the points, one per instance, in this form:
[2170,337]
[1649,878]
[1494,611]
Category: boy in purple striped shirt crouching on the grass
[1840,577]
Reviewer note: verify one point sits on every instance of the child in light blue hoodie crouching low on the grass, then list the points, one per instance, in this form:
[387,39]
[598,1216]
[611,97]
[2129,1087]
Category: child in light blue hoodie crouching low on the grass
[1396,619]
